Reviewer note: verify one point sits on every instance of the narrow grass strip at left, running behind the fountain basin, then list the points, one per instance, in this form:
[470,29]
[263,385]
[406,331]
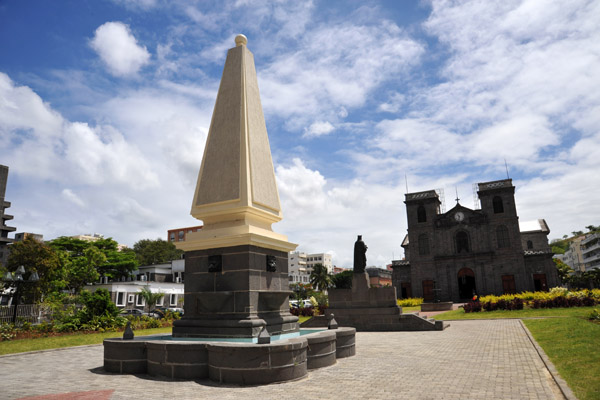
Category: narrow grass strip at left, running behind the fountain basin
[77,339]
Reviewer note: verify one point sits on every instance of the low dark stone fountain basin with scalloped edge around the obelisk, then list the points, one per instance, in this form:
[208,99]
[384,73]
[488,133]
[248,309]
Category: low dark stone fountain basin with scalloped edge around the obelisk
[229,360]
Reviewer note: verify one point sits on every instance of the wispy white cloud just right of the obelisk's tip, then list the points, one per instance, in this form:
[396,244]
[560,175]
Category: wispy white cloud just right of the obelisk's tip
[335,67]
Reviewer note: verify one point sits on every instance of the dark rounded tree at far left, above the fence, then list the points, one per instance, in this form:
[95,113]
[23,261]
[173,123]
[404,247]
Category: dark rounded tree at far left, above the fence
[37,256]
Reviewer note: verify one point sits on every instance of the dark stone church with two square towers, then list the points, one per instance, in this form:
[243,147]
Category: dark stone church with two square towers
[453,255]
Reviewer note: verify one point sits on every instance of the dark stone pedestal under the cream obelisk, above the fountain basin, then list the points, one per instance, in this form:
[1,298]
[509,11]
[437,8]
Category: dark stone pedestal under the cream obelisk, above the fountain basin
[238,299]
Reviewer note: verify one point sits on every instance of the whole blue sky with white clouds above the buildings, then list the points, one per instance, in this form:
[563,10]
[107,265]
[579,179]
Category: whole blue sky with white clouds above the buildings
[105,107]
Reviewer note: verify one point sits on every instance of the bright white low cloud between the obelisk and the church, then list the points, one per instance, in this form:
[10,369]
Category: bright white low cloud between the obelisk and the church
[319,212]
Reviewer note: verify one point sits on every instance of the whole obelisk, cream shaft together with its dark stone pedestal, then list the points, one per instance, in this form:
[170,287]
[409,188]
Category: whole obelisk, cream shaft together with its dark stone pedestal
[236,275]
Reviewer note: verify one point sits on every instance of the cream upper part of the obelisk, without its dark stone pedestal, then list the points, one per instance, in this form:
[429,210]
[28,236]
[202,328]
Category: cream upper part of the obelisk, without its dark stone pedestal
[236,194]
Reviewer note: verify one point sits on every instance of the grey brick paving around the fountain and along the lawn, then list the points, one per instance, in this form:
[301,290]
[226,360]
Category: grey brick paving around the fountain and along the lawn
[491,359]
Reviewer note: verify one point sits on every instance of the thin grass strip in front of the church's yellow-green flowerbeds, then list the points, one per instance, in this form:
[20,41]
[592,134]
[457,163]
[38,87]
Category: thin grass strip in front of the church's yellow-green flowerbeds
[525,313]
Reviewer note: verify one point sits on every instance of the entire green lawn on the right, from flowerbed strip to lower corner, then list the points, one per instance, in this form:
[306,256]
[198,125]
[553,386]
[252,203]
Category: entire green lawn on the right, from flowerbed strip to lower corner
[569,339]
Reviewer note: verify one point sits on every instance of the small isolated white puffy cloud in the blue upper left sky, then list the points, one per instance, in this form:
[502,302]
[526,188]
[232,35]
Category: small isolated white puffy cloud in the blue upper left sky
[118,49]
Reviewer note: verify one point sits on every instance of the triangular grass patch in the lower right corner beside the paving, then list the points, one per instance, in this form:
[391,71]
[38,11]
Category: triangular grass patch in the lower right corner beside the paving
[572,346]
